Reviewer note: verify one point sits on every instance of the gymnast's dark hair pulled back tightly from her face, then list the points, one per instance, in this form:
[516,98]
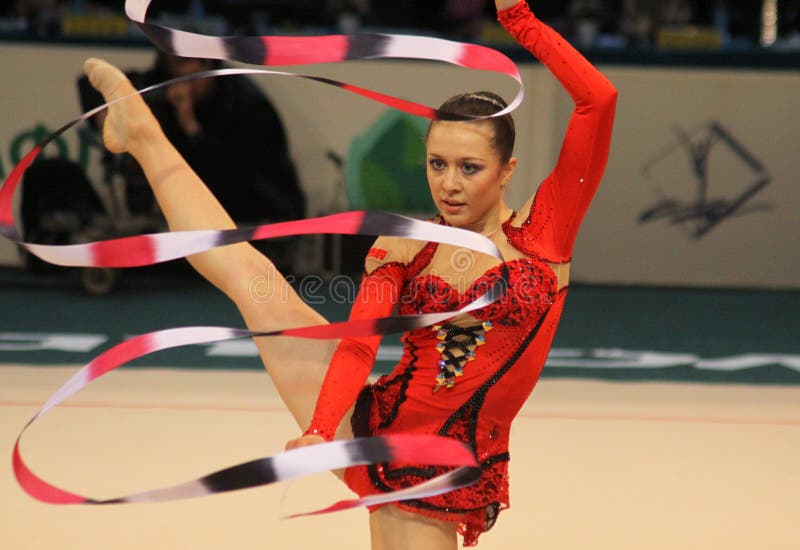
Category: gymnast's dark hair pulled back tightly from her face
[482,104]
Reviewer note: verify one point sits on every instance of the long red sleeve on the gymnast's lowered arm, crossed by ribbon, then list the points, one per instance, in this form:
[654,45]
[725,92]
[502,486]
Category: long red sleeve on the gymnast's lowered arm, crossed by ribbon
[352,362]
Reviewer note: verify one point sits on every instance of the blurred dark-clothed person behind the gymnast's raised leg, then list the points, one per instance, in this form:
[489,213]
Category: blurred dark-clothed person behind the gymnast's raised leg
[231,136]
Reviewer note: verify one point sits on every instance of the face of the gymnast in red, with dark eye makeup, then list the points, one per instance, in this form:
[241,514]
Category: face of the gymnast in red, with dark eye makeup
[466,174]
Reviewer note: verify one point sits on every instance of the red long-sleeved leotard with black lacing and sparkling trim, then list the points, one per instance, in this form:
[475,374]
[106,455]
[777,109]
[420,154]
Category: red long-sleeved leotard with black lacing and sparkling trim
[491,360]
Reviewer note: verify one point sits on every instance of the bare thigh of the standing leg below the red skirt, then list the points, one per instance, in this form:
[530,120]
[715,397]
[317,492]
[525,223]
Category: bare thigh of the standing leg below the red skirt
[392,528]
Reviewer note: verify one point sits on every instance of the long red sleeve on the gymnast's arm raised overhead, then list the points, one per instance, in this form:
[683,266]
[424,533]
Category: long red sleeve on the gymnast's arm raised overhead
[565,194]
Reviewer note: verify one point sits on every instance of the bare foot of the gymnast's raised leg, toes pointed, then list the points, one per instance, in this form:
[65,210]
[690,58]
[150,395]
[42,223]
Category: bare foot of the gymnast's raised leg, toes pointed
[129,122]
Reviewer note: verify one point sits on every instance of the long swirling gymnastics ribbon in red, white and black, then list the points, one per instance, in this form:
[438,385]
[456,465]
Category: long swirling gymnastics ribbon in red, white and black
[149,249]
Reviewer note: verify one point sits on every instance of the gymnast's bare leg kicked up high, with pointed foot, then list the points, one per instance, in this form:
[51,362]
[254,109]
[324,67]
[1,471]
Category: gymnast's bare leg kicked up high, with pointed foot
[264,298]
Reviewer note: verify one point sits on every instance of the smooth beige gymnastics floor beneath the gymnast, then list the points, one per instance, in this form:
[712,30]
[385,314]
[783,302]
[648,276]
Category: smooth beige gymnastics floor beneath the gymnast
[595,465]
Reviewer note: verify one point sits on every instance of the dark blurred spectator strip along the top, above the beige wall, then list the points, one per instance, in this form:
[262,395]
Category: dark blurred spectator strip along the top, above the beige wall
[602,23]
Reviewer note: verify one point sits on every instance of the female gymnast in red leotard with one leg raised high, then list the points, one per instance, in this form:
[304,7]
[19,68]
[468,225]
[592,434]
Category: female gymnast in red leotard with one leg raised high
[466,379]
